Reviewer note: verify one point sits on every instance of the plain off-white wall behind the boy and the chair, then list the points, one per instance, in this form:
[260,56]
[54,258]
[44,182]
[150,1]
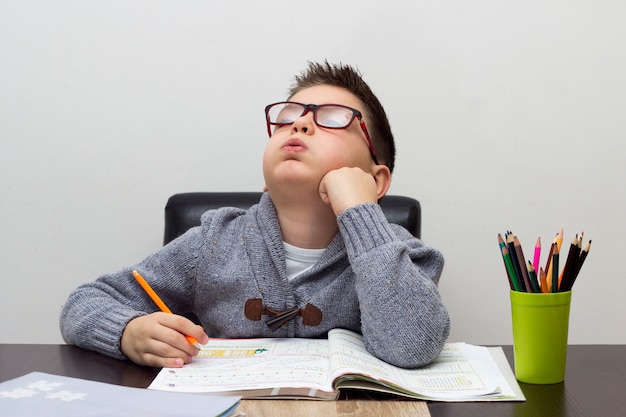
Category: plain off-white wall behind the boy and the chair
[507,114]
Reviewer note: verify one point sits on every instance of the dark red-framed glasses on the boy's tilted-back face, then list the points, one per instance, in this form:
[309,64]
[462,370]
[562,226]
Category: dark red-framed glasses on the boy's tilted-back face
[329,116]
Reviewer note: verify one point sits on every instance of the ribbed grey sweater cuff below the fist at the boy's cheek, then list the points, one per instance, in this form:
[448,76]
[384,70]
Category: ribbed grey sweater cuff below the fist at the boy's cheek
[364,227]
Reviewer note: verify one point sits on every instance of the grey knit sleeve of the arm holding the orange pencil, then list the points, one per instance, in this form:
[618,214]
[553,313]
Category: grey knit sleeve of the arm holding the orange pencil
[96,313]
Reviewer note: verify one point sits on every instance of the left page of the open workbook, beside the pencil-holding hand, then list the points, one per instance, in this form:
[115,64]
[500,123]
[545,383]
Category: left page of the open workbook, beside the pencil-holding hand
[252,364]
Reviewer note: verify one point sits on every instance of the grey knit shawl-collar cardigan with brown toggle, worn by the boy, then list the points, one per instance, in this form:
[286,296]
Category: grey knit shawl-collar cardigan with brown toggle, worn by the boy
[374,278]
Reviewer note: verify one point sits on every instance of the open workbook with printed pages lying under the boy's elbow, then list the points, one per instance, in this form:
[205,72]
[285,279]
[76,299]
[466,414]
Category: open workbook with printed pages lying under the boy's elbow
[319,368]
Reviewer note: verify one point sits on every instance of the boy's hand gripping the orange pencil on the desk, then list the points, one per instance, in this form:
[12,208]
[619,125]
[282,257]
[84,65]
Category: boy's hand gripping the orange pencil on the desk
[158,339]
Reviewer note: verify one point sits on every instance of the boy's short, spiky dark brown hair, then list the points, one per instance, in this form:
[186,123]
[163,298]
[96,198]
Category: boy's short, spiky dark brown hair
[347,77]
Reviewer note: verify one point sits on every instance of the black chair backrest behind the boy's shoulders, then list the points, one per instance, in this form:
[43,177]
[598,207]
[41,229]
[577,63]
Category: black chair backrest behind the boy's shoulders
[183,211]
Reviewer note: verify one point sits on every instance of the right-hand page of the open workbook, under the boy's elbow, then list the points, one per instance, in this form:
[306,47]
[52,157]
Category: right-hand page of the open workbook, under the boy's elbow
[459,372]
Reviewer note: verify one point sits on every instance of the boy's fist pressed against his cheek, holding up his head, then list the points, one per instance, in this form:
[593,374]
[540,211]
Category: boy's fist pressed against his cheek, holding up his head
[346,187]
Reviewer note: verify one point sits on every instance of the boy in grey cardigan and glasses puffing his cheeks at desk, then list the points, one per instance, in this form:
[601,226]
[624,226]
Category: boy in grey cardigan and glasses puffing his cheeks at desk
[316,253]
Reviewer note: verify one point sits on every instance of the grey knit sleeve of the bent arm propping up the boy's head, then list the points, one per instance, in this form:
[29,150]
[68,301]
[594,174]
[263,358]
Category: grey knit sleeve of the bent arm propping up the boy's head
[403,319]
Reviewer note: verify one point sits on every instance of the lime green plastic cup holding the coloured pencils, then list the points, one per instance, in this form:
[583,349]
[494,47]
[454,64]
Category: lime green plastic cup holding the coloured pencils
[540,324]
